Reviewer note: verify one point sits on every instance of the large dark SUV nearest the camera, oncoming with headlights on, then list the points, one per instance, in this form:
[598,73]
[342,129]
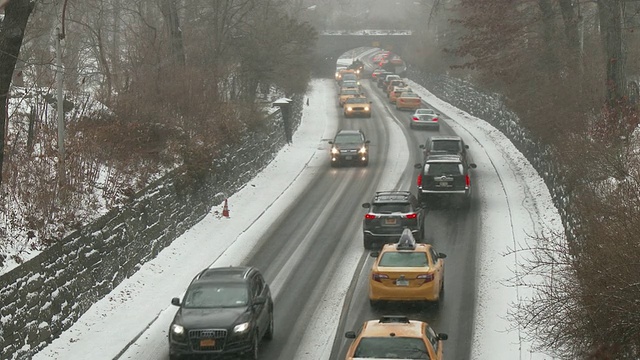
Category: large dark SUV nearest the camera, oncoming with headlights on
[224,312]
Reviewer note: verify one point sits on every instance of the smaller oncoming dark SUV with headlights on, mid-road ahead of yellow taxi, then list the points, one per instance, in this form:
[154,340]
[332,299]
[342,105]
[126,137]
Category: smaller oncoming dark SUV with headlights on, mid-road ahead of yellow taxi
[349,146]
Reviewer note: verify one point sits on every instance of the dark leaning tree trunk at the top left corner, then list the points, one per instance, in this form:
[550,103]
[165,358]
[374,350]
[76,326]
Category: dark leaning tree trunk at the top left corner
[12,28]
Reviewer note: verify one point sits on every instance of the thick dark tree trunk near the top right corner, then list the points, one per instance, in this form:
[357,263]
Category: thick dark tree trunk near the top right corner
[610,12]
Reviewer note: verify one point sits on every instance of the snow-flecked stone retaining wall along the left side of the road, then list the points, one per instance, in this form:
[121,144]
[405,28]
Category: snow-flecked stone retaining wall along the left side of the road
[48,293]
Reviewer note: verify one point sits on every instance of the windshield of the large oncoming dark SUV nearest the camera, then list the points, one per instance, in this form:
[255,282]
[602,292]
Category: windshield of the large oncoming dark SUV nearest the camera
[211,295]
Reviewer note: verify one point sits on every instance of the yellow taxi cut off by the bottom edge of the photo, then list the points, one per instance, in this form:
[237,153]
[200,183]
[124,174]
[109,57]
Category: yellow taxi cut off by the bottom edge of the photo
[396,337]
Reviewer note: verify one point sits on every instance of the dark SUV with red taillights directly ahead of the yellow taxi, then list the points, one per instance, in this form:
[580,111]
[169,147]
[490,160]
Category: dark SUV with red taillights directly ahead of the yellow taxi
[390,212]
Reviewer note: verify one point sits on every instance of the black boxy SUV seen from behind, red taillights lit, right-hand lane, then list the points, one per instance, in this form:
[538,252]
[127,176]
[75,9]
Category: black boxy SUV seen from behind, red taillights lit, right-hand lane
[444,175]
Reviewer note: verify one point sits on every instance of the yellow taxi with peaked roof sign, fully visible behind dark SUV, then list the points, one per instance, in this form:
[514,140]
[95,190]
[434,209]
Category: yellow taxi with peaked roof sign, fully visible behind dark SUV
[407,271]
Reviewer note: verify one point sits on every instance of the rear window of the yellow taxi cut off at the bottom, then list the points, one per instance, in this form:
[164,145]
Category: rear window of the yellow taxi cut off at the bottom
[392,348]
